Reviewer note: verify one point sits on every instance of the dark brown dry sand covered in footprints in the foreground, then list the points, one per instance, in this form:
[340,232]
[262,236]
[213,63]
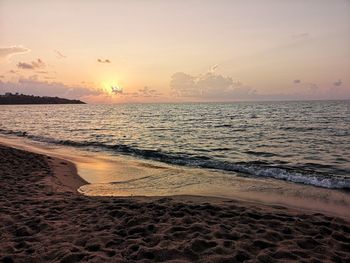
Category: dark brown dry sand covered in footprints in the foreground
[44,219]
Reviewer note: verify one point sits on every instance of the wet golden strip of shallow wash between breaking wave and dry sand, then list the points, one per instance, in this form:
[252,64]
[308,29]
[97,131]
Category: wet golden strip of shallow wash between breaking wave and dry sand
[112,175]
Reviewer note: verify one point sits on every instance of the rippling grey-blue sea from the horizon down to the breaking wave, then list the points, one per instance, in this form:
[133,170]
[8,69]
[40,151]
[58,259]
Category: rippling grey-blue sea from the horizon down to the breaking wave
[304,142]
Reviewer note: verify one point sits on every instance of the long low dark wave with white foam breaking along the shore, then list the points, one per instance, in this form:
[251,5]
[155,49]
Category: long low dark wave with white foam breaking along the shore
[252,168]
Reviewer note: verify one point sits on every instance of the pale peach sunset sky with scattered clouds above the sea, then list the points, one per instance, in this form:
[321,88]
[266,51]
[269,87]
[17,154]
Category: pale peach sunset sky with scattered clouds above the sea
[176,51]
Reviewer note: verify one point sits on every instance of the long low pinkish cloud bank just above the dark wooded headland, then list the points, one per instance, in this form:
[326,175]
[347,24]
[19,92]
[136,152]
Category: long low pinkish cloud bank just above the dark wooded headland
[33,86]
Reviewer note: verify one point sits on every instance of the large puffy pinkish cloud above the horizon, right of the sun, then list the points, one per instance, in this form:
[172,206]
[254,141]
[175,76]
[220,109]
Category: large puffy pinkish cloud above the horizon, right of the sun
[209,86]
